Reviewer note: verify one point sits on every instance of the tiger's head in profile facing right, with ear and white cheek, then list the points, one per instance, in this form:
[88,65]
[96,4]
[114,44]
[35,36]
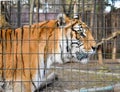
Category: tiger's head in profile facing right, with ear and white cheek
[80,44]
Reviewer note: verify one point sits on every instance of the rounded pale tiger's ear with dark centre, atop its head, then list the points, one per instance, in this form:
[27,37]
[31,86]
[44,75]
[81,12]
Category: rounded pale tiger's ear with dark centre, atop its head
[61,19]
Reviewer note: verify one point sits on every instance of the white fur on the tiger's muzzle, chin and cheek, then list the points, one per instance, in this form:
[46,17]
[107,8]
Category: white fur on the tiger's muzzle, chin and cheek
[82,55]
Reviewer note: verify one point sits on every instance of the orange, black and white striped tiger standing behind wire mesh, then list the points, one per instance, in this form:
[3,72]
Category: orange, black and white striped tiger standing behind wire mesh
[27,53]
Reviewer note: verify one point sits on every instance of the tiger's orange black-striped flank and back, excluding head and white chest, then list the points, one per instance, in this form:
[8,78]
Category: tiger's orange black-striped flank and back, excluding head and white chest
[19,50]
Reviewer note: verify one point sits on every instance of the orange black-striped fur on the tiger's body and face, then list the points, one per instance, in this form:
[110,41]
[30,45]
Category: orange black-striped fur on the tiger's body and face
[20,49]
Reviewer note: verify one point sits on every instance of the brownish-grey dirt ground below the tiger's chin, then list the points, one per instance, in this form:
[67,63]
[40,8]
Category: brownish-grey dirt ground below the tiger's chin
[75,76]
